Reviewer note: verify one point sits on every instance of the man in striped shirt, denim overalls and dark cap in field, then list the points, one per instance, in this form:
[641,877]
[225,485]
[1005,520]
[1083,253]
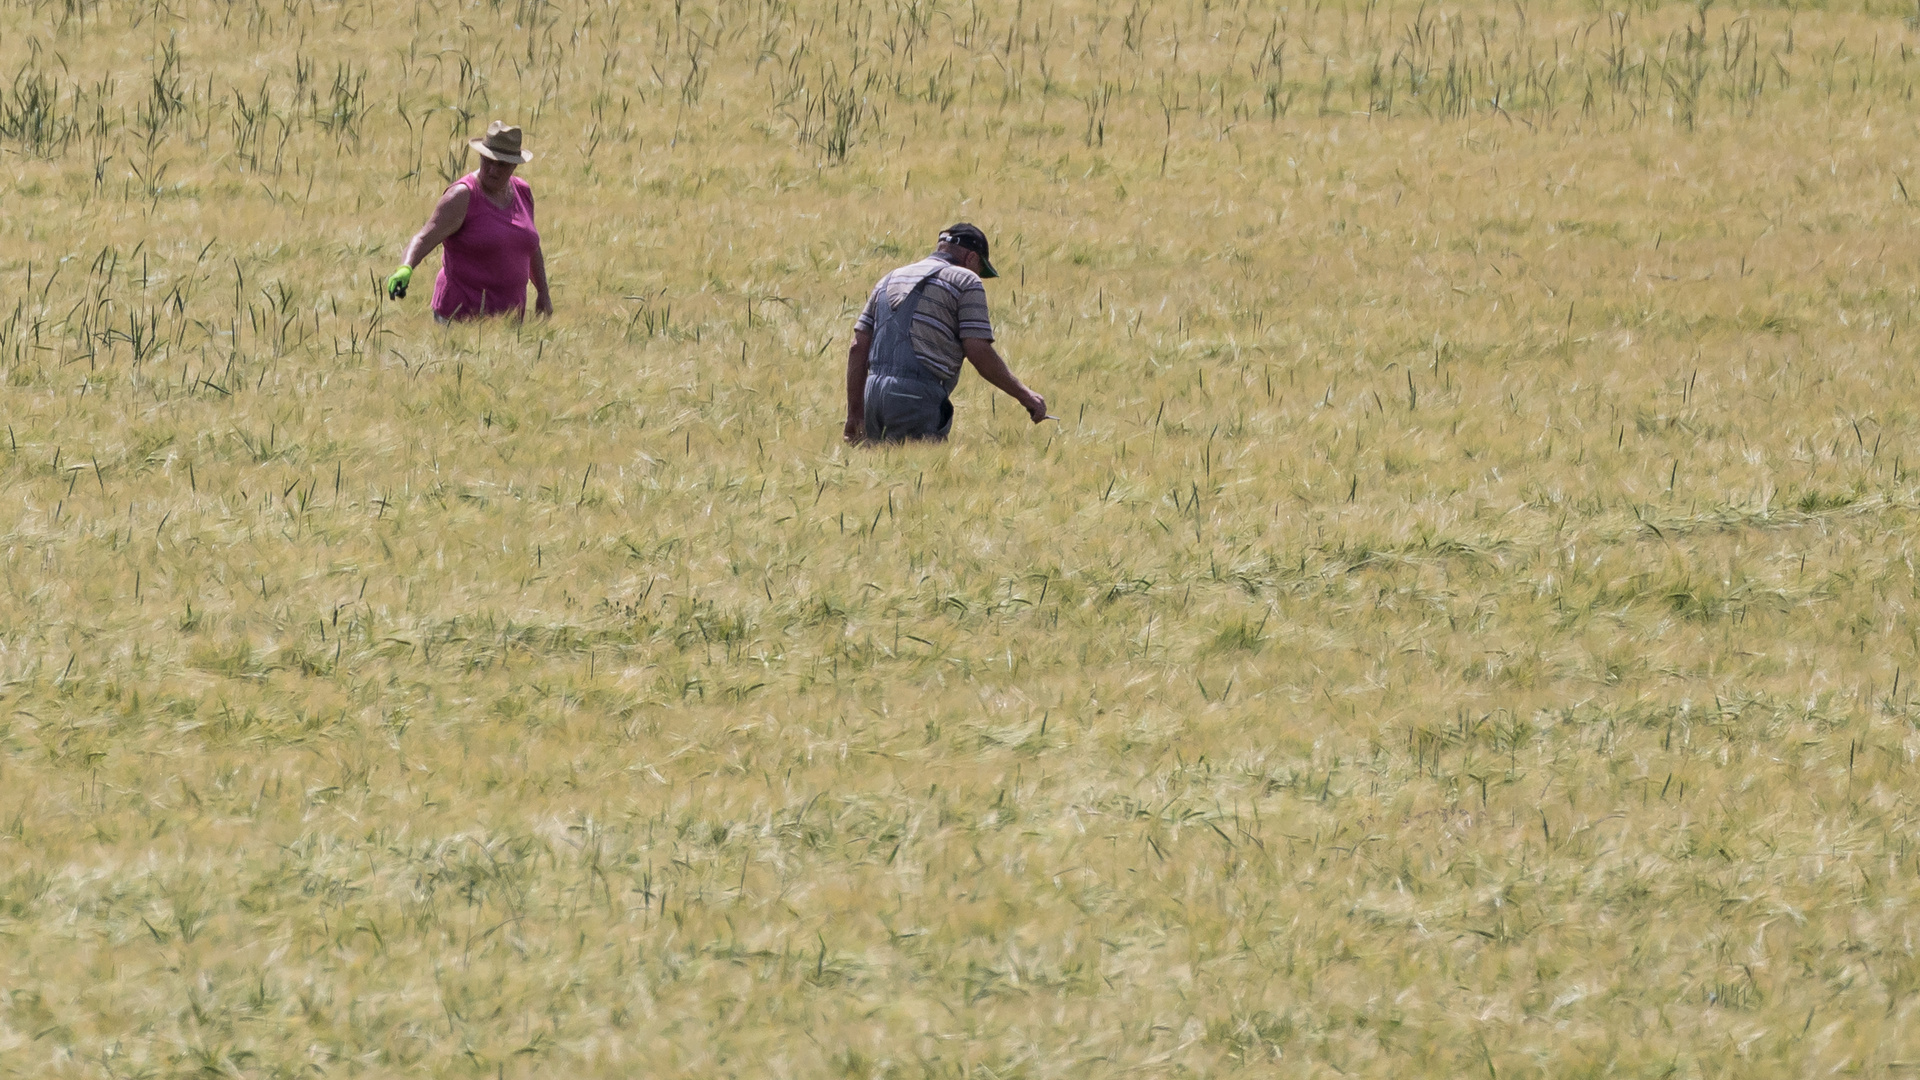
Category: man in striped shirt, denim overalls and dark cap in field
[917,328]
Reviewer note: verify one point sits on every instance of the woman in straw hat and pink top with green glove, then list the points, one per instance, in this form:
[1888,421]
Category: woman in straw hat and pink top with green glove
[492,247]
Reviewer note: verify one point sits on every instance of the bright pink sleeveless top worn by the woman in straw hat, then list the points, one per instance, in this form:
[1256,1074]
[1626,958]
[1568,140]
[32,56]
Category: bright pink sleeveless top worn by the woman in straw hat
[487,262]
